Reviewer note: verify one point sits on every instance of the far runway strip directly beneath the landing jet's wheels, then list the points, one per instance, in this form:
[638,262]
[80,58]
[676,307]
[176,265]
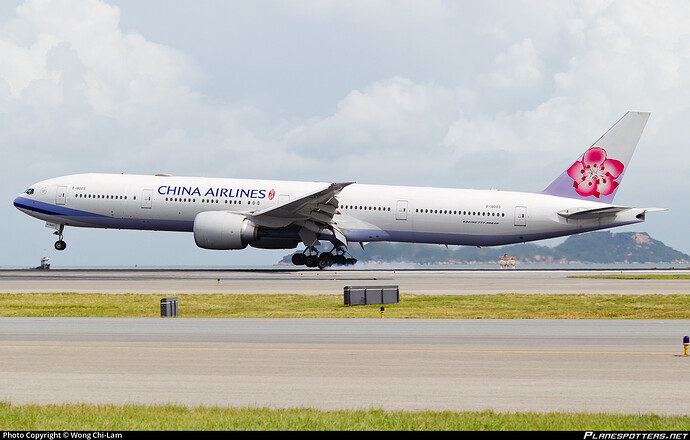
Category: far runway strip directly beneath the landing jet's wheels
[332,282]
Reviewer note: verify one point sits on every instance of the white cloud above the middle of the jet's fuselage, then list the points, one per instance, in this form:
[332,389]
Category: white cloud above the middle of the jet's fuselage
[394,116]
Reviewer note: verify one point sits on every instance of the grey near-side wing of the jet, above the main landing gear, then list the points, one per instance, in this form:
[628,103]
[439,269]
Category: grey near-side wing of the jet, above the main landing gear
[312,213]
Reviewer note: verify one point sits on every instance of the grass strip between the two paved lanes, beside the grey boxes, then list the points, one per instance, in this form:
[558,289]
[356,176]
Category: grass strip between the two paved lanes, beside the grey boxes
[503,306]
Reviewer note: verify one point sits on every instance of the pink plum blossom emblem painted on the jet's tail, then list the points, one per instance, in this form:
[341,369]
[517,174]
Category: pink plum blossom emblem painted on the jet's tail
[595,175]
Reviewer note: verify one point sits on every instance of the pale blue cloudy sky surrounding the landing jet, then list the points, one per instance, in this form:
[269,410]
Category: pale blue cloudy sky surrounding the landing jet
[493,94]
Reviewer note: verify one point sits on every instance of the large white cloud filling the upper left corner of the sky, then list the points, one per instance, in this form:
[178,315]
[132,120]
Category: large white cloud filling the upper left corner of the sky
[120,76]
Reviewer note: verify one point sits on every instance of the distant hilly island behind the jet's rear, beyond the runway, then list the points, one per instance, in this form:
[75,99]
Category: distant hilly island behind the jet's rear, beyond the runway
[594,247]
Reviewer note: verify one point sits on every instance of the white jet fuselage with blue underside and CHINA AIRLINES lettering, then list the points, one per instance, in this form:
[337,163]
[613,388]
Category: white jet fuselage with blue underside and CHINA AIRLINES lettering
[365,213]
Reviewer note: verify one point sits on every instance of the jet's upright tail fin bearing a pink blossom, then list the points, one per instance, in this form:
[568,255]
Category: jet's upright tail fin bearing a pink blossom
[597,174]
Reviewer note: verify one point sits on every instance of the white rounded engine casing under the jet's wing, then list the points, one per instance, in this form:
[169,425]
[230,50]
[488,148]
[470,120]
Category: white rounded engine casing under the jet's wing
[223,230]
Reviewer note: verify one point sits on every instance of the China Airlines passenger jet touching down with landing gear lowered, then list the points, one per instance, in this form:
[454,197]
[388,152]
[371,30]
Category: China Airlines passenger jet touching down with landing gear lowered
[225,214]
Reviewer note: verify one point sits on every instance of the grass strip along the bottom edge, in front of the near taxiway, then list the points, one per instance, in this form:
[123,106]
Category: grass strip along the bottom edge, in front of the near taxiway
[81,417]
